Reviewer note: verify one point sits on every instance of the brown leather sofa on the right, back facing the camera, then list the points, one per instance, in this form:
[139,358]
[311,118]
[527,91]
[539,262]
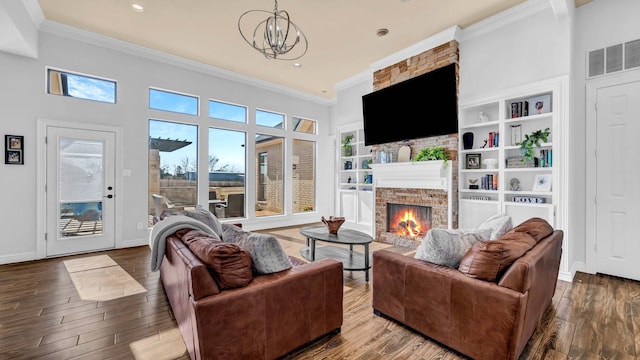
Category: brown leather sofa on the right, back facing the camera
[481,319]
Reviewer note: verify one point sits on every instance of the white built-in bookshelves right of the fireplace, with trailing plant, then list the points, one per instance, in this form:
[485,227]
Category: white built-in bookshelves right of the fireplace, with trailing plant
[514,185]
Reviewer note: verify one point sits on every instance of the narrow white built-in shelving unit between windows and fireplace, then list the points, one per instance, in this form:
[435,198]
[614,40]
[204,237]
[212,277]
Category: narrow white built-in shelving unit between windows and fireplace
[355,191]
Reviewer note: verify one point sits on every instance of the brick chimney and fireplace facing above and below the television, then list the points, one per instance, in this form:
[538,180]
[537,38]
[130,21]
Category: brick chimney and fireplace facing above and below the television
[427,61]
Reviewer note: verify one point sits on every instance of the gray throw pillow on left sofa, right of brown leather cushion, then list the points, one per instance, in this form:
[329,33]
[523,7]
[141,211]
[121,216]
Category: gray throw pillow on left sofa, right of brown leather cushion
[267,255]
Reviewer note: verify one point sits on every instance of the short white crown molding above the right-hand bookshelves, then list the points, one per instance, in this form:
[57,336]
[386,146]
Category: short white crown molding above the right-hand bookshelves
[504,18]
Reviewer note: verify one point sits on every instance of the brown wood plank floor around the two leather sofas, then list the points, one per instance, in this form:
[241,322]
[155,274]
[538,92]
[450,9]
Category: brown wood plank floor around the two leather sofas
[42,316]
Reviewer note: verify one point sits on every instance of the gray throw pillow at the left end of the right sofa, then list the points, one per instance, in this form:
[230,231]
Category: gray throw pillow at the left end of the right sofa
[447,247]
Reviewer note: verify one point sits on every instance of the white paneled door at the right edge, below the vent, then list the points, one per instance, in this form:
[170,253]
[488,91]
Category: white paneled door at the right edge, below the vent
[617,189]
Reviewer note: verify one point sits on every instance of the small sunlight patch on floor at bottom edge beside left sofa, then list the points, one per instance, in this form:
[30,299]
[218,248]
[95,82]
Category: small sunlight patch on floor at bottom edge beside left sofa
[166,344]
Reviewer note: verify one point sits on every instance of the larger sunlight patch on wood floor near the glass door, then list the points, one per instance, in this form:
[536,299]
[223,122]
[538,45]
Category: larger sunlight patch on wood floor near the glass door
[99,278]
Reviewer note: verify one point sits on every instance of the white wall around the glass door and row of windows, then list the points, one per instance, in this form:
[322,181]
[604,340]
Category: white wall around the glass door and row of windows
[23,100]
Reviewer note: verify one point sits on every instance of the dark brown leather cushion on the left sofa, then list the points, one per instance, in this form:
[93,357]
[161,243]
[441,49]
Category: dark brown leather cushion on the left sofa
[229,265]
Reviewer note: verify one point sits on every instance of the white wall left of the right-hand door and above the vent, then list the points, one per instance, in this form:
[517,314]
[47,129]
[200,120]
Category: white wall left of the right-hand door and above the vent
[597,24]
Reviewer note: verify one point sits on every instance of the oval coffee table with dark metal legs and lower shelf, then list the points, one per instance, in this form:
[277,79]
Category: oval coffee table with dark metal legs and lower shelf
[351,260]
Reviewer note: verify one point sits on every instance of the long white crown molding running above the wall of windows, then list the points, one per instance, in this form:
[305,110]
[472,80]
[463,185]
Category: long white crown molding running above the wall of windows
[66,31]
